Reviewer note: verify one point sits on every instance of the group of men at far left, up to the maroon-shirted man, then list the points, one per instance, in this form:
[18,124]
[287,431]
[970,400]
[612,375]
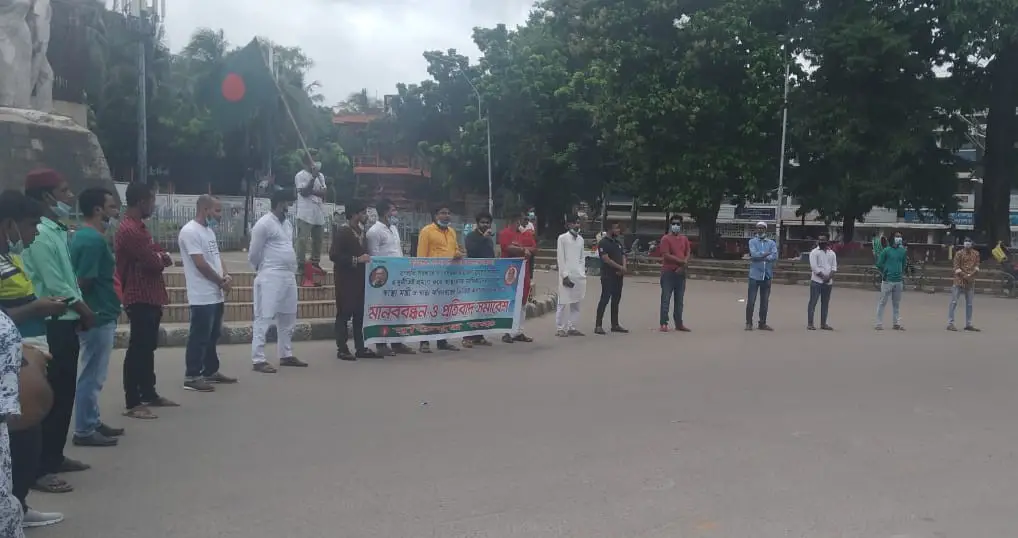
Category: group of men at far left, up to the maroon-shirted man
[60,307]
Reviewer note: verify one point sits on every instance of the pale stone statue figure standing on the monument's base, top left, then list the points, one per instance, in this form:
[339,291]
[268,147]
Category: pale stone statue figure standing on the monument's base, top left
[26,76]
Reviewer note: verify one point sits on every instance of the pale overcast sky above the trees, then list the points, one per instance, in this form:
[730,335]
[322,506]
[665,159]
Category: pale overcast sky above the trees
[356,44]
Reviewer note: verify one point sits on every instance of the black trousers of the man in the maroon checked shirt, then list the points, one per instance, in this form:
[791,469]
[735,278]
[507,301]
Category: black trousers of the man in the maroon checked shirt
[140,362]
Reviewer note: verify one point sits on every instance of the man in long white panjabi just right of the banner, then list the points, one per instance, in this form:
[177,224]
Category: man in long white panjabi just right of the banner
[573,280]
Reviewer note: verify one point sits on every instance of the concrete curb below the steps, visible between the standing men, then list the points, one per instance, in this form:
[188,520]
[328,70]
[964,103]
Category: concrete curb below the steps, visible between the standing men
[319,330]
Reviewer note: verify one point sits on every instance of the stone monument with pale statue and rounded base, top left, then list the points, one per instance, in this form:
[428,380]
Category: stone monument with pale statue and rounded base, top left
[31,136]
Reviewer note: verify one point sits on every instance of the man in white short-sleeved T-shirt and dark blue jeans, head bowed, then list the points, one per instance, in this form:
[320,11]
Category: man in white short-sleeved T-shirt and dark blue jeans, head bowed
[208,283]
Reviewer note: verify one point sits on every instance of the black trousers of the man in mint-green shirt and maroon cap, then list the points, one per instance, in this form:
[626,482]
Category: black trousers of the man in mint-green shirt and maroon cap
[63,374]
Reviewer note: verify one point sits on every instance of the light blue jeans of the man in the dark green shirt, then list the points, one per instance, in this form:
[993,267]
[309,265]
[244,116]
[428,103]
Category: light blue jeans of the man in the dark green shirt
[97,346]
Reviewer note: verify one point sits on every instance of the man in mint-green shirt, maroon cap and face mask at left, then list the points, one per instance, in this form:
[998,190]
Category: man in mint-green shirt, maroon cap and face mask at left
[48,263]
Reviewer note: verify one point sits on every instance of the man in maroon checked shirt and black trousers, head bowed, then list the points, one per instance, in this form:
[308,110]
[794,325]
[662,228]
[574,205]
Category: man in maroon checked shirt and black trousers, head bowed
[140,267]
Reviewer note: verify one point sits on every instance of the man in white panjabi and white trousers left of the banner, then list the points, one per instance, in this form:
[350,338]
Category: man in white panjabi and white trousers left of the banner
[271,254]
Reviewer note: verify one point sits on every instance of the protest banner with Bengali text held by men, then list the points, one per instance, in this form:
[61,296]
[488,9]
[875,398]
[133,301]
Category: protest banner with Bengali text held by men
[410,300]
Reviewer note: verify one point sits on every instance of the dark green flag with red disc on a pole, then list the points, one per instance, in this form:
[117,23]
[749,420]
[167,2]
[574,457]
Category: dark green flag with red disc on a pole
[244,87]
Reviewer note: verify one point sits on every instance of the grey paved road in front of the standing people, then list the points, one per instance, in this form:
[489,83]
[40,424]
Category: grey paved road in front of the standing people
[717,434]
